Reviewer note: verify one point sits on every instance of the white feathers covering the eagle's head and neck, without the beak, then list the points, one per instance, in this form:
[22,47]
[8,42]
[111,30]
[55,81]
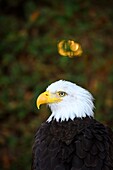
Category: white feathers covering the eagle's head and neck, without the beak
[78,102]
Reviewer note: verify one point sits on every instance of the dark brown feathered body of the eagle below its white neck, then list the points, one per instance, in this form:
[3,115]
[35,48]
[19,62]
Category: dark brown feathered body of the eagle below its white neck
[82,144]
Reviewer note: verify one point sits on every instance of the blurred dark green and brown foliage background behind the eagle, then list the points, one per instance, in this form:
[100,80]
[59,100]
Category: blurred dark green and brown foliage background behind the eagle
[29,62]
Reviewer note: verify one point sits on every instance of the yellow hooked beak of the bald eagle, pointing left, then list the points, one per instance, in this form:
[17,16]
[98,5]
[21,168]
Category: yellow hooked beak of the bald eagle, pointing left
[46,98]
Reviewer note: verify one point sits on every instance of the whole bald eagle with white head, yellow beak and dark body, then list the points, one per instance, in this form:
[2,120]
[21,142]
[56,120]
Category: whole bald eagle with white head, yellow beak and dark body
[71,139]
